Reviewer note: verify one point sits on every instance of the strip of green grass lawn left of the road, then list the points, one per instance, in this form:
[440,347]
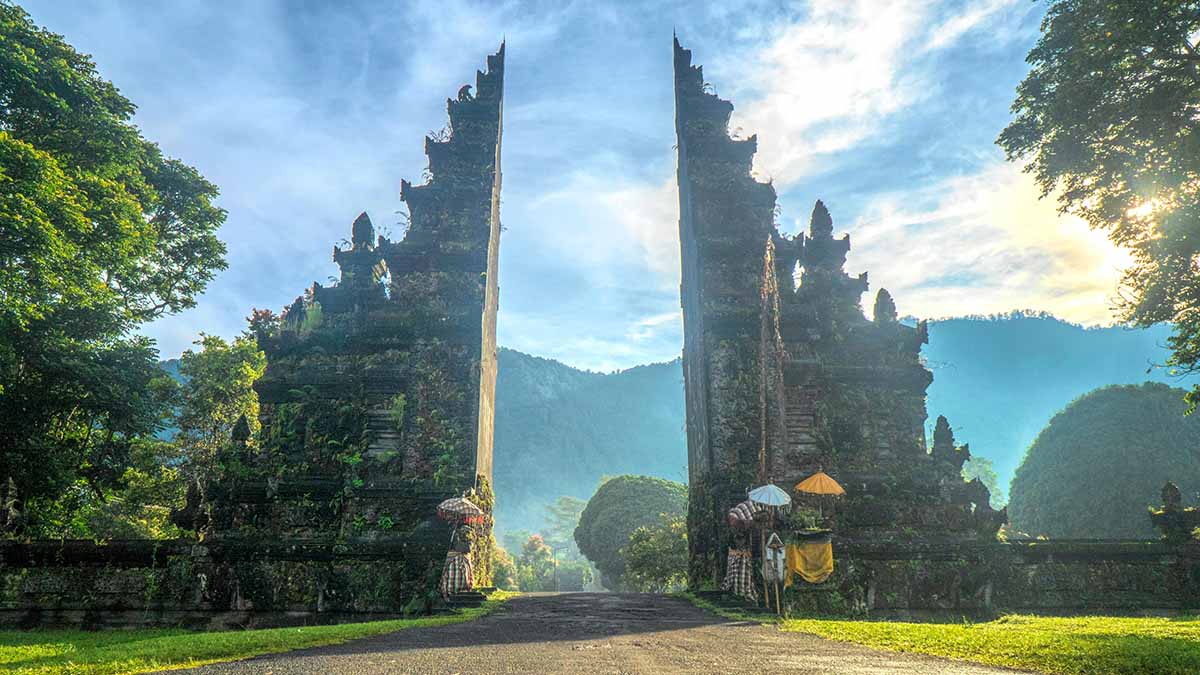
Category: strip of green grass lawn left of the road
[112,653]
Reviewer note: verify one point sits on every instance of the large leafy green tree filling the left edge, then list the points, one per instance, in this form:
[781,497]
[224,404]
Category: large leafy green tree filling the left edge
[99,234]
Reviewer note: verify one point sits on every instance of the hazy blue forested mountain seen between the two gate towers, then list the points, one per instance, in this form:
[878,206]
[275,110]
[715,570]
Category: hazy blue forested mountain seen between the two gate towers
[559,431]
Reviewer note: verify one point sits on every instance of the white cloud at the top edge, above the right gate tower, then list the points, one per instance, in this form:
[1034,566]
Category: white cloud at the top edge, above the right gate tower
[835,77]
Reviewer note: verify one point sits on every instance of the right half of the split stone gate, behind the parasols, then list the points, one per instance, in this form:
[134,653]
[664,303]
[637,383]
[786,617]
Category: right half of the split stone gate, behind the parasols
[784,373]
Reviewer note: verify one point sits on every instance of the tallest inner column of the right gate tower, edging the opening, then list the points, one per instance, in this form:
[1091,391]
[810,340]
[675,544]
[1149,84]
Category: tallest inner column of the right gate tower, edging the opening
[724,214]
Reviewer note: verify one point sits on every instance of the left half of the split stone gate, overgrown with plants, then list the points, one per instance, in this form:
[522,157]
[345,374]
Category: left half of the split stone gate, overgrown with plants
[377,402]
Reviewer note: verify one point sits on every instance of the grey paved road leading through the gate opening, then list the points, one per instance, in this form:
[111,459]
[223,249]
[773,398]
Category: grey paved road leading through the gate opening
[595,634]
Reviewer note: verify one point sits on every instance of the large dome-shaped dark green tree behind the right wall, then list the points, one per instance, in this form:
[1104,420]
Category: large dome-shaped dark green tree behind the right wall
[1103,461]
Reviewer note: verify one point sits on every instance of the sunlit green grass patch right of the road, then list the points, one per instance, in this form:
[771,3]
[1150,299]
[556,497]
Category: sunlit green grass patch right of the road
[1073,646]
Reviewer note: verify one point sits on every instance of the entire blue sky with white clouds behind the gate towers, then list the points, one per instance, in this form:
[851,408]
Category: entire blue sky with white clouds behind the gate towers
[307,114]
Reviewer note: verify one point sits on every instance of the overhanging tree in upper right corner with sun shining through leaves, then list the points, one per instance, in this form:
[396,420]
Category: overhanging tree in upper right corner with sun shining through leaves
[1109,120]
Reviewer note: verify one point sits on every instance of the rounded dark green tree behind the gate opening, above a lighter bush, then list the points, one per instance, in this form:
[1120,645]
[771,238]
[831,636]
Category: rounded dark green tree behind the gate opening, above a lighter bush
[621,506]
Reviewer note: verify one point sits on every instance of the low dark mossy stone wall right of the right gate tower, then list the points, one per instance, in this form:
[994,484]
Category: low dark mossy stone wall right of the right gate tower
[947,580]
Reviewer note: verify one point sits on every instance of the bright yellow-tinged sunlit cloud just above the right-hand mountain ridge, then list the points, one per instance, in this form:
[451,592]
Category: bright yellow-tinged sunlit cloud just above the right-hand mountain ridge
[986,244]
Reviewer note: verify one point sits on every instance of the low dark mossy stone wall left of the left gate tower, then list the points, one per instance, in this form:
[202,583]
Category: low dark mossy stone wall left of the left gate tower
[212,586]
